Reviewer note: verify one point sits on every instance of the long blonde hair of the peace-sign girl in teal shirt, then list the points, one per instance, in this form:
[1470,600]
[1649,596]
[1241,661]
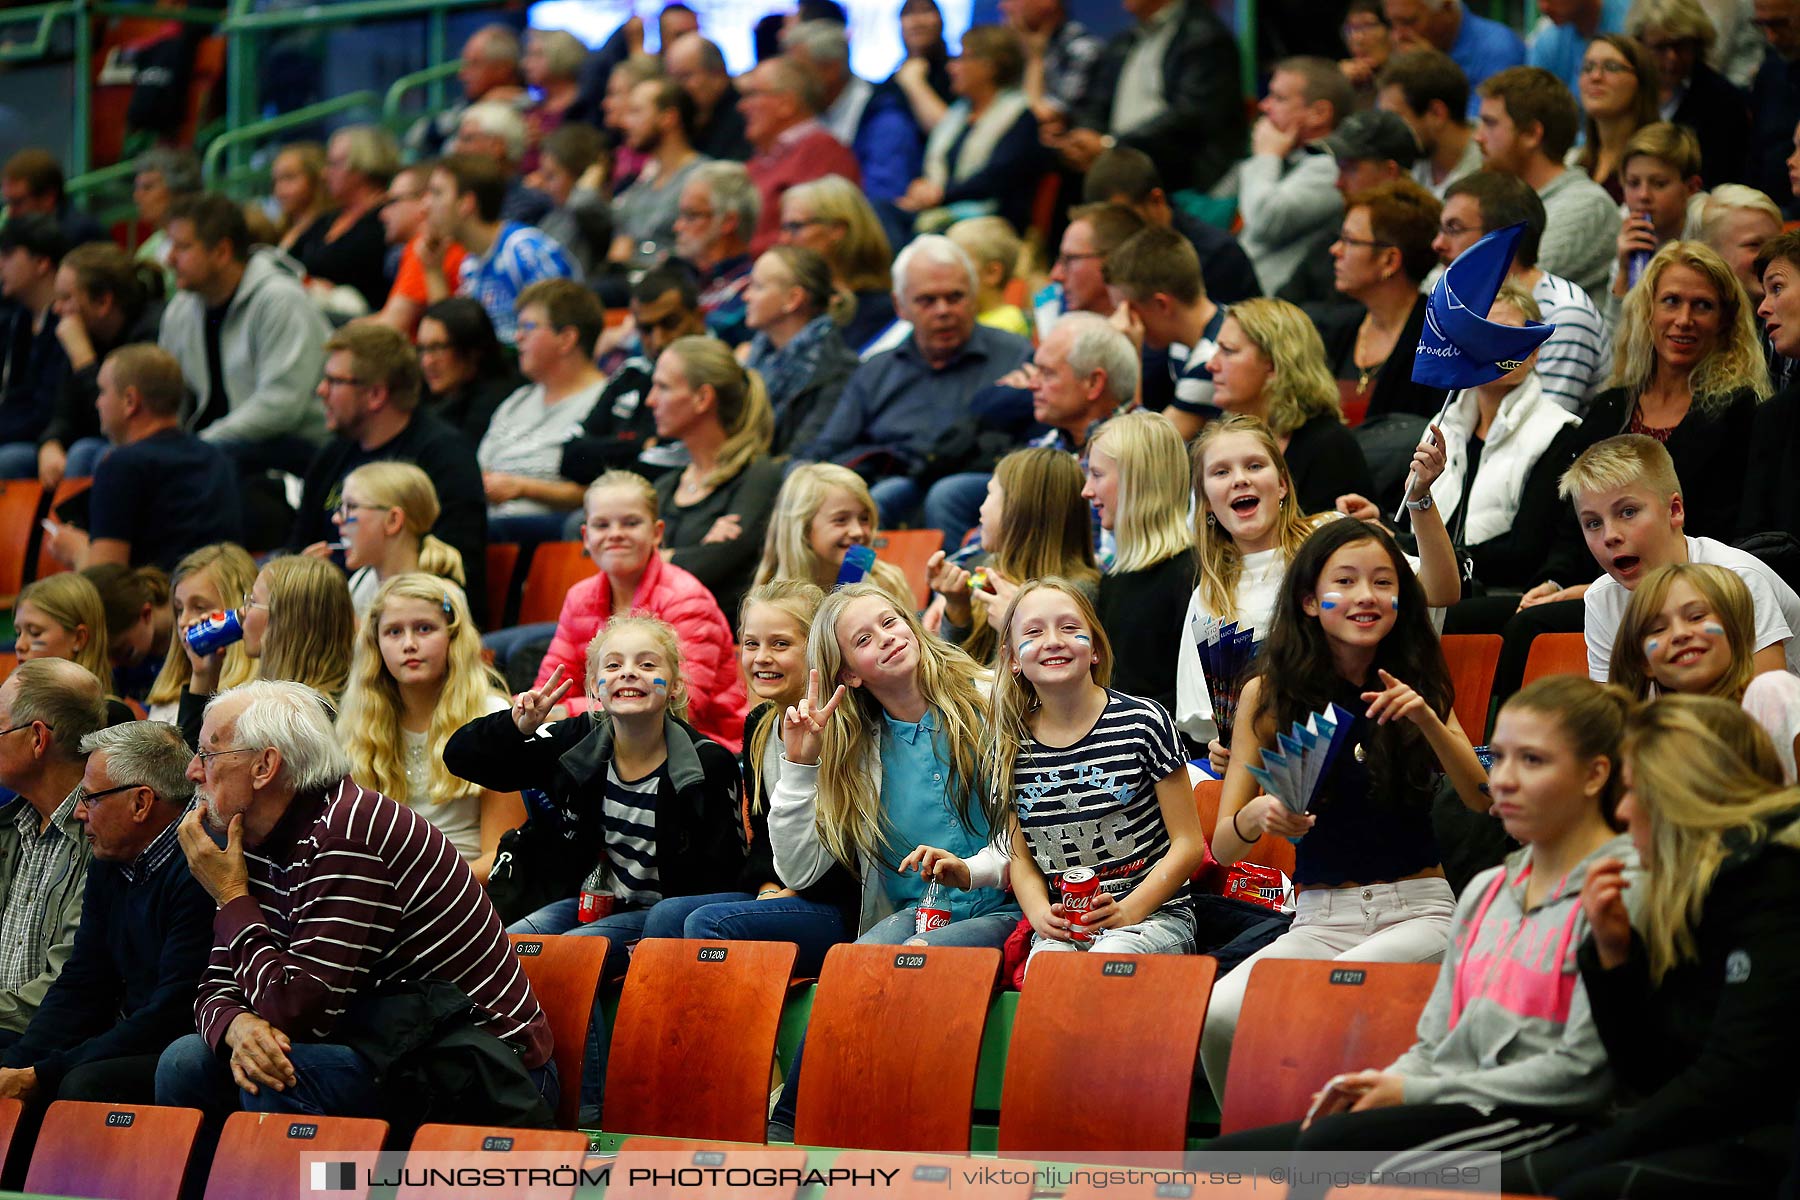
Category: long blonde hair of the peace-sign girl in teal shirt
[850,819]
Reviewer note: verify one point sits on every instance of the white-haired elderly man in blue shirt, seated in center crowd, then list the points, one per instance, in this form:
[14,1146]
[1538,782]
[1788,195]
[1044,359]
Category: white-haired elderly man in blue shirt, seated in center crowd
[895,407]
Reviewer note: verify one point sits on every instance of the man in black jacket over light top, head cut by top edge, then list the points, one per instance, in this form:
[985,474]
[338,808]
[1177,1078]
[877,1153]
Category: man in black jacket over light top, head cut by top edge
[1171,87]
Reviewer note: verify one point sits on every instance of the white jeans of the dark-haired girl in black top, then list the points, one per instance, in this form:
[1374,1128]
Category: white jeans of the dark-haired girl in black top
[1407,922]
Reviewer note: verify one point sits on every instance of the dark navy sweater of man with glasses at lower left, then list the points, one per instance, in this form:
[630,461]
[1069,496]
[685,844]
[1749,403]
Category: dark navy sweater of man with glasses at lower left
[129,987]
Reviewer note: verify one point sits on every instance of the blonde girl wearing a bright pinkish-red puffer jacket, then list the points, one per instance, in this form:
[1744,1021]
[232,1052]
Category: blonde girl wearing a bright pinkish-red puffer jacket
[624,535]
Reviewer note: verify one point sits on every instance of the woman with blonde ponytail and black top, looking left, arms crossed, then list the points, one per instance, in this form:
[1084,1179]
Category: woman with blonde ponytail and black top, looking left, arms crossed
[715,512]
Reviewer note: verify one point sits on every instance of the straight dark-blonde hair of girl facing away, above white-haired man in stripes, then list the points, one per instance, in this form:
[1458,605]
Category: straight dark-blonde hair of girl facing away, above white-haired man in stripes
[312,627]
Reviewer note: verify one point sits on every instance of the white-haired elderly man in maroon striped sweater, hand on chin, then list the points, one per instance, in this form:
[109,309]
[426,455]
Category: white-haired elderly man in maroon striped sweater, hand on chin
[332,902]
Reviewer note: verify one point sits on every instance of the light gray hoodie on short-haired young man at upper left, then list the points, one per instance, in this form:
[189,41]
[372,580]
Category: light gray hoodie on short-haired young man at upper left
[273,348]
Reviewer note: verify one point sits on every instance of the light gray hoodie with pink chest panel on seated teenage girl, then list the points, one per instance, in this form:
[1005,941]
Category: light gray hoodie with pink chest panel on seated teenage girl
[1509,1023]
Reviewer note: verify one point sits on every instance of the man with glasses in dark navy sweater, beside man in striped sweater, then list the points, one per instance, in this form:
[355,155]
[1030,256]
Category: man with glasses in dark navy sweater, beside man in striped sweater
[147,926]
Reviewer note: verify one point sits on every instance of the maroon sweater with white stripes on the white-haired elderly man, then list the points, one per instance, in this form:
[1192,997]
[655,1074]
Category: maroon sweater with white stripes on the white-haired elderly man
[346,891]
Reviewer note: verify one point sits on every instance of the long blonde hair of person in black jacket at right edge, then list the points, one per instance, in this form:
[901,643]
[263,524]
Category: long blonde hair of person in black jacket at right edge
[1711,785]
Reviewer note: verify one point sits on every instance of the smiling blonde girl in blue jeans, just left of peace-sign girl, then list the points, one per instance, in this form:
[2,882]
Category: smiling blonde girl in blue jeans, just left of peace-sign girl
[775,623]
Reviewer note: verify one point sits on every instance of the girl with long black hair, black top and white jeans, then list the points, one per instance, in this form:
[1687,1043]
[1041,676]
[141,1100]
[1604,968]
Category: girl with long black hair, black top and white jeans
[1353,631]
